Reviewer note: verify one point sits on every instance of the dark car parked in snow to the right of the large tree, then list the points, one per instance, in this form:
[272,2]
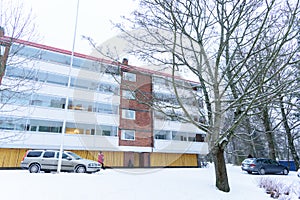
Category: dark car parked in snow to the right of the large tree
[263,166]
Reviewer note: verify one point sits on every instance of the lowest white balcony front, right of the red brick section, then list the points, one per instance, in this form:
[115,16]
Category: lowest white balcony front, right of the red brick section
[175,146]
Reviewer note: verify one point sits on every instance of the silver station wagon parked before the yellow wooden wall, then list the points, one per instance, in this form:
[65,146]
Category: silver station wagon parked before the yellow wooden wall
[47,161]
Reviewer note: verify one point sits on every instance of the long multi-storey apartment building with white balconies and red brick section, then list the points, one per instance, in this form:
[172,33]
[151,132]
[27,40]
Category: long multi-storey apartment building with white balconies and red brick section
[51,97]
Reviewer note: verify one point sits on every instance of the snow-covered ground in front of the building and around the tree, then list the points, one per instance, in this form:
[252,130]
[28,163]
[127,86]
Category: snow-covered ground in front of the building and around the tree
[134,184]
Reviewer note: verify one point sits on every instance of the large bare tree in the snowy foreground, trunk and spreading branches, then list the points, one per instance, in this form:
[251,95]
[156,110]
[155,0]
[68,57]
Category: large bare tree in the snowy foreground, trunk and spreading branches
[218,42]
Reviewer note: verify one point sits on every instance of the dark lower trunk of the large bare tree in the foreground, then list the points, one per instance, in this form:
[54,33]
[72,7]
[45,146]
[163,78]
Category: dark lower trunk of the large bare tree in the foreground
[220,169]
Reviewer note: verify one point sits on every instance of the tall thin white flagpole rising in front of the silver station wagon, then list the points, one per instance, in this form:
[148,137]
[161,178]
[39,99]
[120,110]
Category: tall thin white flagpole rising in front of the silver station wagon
[67,98]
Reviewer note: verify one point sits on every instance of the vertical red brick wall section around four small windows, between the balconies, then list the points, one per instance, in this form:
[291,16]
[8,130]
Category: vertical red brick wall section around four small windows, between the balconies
[143,122]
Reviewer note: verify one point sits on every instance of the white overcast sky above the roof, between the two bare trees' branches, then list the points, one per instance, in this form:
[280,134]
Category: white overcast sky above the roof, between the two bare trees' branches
[55,21]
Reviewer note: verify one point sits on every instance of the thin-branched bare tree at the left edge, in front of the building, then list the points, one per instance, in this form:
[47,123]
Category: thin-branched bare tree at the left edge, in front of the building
[16,24]
